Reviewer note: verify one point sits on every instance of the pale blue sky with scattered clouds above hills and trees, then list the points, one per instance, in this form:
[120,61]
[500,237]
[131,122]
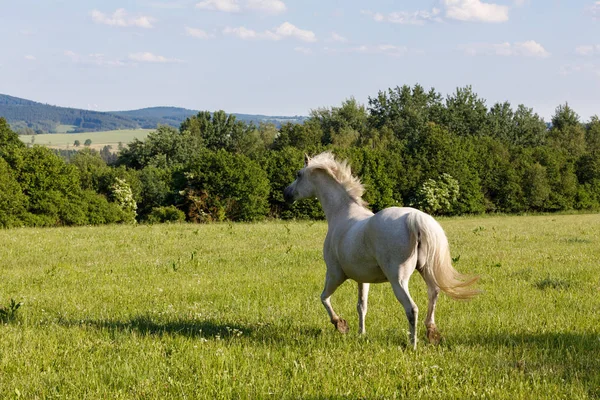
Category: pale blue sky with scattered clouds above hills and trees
[285,57]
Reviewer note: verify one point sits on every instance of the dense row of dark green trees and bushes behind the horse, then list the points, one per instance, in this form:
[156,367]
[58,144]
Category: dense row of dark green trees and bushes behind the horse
[409,145]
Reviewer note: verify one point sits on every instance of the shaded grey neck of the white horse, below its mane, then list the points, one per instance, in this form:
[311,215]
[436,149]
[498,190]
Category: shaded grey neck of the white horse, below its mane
[335,200]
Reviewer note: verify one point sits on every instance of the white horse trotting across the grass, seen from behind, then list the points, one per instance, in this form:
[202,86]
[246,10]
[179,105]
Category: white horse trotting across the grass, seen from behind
[373,248]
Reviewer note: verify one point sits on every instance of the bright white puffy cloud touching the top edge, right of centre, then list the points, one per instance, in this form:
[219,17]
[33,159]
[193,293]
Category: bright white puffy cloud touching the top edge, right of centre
[475,10]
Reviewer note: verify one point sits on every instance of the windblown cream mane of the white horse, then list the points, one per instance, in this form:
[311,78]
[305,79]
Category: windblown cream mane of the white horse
[340,171]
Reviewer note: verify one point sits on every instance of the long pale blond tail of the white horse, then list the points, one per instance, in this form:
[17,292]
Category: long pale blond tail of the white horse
[434,246]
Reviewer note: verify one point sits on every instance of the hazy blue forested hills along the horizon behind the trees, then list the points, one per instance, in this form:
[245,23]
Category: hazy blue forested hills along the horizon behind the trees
[29,117]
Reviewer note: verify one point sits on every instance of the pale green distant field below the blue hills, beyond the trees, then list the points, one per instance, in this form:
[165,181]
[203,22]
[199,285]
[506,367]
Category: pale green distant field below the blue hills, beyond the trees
[99,139]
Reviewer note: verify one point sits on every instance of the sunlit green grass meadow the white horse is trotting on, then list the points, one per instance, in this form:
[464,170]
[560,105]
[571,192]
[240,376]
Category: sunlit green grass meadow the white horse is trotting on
[232,311]
